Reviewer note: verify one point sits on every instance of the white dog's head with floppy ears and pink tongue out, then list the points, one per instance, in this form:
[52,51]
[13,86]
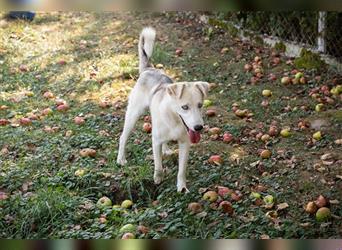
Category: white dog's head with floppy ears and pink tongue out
[187,103]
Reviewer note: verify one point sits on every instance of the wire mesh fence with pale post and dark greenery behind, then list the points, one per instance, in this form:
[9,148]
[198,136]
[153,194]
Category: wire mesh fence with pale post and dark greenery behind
[320,31]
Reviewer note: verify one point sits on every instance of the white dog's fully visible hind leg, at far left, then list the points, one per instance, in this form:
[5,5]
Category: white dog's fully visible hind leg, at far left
[134,111]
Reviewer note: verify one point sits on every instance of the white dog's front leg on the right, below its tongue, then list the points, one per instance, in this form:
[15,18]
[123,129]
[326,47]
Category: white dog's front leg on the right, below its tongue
[183,160]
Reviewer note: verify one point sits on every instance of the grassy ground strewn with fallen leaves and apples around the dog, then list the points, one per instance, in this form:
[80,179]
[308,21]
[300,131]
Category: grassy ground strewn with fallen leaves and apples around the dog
[90,60]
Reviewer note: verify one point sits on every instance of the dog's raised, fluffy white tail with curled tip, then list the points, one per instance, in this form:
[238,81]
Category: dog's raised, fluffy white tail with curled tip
[146,42]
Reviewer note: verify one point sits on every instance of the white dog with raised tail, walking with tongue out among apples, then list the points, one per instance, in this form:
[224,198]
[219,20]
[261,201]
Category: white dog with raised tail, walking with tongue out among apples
[176,111]
